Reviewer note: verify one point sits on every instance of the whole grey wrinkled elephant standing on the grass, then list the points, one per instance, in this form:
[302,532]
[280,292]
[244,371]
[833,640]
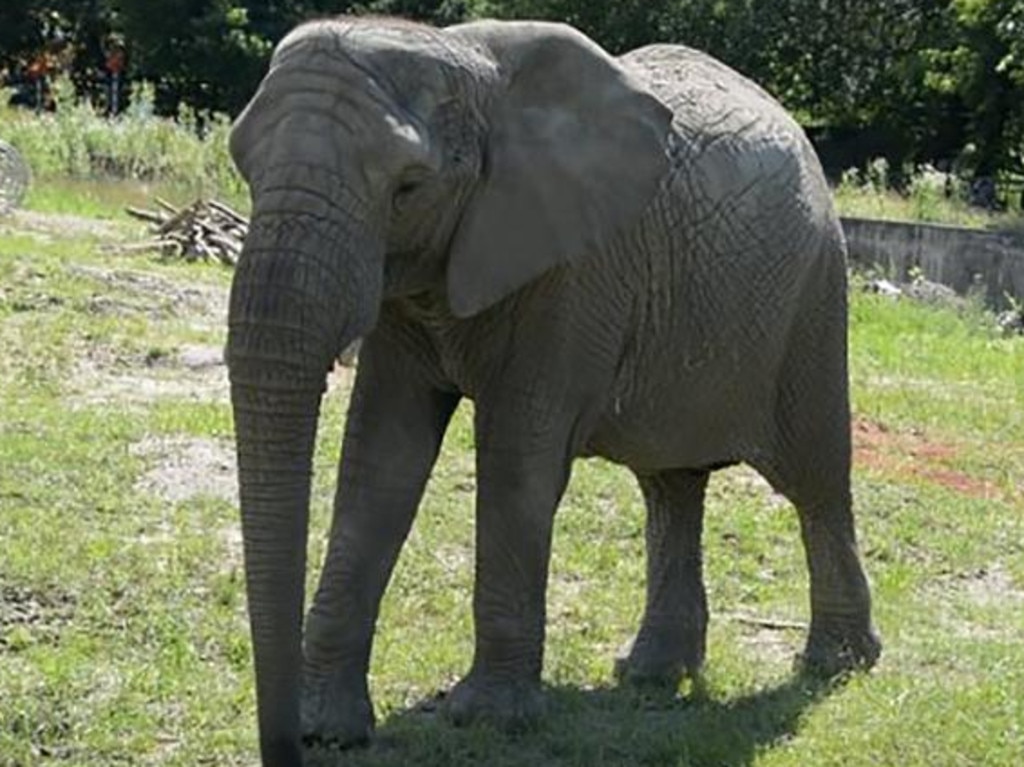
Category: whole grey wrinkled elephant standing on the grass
[629,258]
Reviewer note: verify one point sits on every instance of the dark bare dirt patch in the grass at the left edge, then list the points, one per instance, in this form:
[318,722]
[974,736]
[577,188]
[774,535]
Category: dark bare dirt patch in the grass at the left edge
[31,617]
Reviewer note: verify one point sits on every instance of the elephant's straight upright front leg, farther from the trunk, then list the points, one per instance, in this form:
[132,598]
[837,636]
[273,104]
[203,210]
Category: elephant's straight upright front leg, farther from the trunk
[522,474]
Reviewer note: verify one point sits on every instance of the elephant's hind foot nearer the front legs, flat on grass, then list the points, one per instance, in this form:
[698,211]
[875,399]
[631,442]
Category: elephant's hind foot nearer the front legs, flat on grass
[661,659]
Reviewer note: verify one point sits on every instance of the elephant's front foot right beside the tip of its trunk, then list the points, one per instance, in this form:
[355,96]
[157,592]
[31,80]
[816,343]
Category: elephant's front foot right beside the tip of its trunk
[336,713]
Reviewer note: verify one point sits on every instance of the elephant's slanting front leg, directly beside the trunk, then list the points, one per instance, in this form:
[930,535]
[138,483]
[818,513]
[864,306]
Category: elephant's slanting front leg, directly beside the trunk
[396,425]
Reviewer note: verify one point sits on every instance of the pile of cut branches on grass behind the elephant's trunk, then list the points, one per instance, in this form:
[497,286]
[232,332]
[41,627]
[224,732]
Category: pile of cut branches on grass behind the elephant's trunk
[205,231]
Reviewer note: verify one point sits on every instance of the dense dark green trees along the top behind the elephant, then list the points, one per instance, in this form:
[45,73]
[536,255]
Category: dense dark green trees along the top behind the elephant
[914,80]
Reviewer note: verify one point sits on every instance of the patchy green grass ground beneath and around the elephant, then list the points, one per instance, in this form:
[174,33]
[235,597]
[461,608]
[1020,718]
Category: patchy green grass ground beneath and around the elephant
[123,632]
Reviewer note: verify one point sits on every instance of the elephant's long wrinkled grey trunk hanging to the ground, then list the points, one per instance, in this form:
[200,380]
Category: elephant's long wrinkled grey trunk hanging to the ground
[302,293]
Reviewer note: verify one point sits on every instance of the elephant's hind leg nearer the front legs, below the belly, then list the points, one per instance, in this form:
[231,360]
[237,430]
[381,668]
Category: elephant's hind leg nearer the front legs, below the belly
[671,641]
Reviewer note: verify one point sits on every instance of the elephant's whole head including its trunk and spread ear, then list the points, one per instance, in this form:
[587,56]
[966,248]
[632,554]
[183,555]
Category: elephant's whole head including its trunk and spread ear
[387,159]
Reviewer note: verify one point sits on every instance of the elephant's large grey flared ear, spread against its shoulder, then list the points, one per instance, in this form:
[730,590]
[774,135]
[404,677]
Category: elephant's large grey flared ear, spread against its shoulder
[576,152]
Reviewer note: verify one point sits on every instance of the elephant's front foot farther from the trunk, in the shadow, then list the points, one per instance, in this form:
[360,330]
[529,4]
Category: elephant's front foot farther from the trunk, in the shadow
[511,706]
